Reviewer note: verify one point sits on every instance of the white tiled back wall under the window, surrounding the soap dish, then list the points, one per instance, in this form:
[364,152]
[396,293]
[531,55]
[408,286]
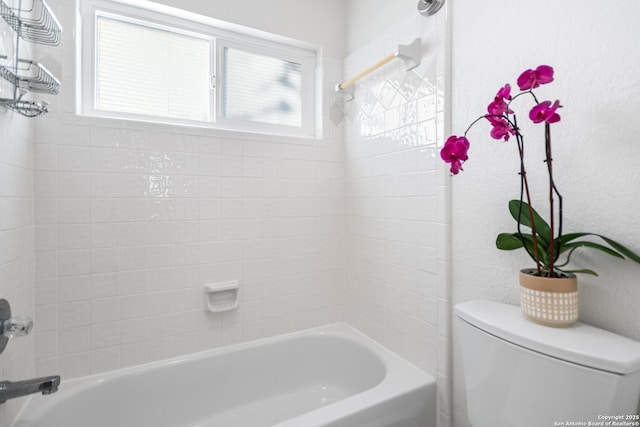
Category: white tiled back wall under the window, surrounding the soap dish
[132,219]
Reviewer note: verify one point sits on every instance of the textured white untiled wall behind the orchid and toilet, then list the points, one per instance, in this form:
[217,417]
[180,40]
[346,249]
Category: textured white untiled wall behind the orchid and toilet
[593,49]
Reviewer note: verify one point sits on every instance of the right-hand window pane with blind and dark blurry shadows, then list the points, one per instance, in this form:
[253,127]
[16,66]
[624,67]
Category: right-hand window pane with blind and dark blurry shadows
[262,88]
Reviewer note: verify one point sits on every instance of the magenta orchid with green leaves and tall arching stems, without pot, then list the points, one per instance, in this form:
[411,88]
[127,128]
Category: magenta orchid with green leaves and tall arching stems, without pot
[545,242]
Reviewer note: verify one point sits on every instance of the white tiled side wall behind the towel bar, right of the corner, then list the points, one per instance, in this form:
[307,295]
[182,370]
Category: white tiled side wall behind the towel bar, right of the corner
[397,203]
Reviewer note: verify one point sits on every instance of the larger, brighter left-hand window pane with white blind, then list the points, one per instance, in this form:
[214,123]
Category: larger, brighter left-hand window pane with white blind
[152,71]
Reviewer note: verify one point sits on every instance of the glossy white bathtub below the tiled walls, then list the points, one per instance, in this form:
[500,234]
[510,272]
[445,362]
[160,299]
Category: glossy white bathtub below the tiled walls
[330,376]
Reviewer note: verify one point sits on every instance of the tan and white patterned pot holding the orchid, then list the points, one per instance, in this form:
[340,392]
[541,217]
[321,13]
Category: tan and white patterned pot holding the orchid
[550,301]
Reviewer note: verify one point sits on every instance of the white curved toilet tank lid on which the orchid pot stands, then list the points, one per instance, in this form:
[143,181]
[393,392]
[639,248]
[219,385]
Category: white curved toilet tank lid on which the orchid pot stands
[580,344]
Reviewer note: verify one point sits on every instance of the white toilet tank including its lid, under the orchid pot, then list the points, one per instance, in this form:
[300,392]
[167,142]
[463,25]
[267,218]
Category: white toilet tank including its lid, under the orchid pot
[518,373]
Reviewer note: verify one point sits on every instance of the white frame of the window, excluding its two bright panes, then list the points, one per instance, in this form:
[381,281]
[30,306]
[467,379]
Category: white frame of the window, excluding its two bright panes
[220,35]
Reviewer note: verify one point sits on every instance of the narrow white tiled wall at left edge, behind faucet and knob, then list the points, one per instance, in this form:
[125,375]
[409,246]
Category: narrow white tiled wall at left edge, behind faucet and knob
[16,245]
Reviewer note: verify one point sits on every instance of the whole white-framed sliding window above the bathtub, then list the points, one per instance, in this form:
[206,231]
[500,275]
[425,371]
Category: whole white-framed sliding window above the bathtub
[155,64]
